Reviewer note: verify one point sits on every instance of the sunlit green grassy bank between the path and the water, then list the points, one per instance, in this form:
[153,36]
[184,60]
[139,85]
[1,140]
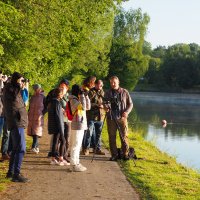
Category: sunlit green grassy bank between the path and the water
[157,175]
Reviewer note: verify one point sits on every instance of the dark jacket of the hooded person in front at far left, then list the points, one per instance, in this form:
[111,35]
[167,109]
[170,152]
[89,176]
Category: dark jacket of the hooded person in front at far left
[14,107]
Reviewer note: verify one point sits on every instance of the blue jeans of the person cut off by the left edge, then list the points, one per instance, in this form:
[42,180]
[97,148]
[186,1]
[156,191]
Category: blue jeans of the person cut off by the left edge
[6,144]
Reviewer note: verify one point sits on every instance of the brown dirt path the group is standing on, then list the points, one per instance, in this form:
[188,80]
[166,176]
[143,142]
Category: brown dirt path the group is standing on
[103,179]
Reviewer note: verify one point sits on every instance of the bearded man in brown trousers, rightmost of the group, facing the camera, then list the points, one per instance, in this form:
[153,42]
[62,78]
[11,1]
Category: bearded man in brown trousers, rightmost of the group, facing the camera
[119,106]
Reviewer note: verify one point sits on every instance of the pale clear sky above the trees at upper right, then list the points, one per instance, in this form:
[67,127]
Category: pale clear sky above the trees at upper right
[171,21]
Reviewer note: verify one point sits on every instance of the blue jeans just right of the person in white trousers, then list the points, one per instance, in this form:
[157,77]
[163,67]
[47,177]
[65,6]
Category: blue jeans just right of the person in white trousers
[94,130]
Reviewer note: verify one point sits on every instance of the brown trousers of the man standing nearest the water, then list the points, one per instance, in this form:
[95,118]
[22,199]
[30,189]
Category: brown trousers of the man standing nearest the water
[112,132]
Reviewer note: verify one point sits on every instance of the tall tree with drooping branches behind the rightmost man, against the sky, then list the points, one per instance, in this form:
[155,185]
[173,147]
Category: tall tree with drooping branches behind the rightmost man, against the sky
[127,60]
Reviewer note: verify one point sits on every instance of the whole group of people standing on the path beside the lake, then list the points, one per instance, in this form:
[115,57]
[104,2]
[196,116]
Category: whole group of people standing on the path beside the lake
[88,106]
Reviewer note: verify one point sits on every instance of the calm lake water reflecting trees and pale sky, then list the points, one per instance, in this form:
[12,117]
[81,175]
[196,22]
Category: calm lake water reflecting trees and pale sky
[181,137]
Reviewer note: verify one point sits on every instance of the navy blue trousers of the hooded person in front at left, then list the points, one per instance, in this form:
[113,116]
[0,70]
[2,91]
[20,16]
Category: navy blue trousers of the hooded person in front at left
[18,150]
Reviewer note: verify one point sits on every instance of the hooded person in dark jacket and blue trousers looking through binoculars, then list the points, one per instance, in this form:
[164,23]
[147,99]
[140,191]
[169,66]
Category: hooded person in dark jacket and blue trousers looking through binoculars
[17,121]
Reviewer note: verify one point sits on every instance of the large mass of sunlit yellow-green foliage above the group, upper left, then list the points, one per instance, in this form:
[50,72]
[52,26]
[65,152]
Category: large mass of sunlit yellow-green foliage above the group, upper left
[48,40]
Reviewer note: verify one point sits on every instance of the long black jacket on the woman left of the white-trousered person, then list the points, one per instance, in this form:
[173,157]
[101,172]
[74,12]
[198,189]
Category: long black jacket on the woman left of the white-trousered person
[55,117]
